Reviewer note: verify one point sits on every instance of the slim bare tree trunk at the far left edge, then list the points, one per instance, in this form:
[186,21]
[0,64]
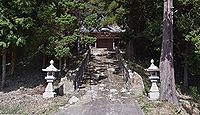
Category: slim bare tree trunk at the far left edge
[3,68]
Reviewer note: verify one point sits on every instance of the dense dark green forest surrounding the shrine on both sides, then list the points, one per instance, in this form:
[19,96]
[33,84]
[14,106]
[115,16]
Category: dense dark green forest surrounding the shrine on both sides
[53,28]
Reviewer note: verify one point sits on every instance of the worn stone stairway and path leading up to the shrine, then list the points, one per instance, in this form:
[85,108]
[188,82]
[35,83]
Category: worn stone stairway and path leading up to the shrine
[105,92]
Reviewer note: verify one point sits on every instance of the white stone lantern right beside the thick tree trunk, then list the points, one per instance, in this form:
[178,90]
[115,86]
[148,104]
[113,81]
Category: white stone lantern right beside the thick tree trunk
[153,70]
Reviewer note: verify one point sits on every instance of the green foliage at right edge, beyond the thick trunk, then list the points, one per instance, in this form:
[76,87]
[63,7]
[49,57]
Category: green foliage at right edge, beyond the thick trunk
[187,34]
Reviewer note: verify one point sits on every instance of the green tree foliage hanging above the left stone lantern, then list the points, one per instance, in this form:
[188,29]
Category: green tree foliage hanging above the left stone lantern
[62,20]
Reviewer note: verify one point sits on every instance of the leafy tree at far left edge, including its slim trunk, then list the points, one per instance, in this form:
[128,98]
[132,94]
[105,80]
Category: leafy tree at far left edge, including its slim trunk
[12,30]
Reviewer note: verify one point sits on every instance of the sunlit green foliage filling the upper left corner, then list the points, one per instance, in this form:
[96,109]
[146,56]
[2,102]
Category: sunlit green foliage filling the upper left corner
[13,24]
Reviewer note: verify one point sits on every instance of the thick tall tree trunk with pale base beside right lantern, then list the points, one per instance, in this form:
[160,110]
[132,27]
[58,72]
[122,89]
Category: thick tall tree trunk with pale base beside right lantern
[168,90]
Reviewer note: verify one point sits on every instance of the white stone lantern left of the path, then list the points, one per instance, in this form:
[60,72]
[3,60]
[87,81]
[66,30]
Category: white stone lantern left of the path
[49,91]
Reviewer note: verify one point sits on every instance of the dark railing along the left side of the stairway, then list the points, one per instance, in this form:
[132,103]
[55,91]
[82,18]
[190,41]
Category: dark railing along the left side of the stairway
[81,69]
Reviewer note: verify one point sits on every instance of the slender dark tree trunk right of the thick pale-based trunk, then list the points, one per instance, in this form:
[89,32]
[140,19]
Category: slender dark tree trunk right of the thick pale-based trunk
[185,81]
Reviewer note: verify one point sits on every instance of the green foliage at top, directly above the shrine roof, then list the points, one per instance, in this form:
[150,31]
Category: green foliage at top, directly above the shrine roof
[107,12]
